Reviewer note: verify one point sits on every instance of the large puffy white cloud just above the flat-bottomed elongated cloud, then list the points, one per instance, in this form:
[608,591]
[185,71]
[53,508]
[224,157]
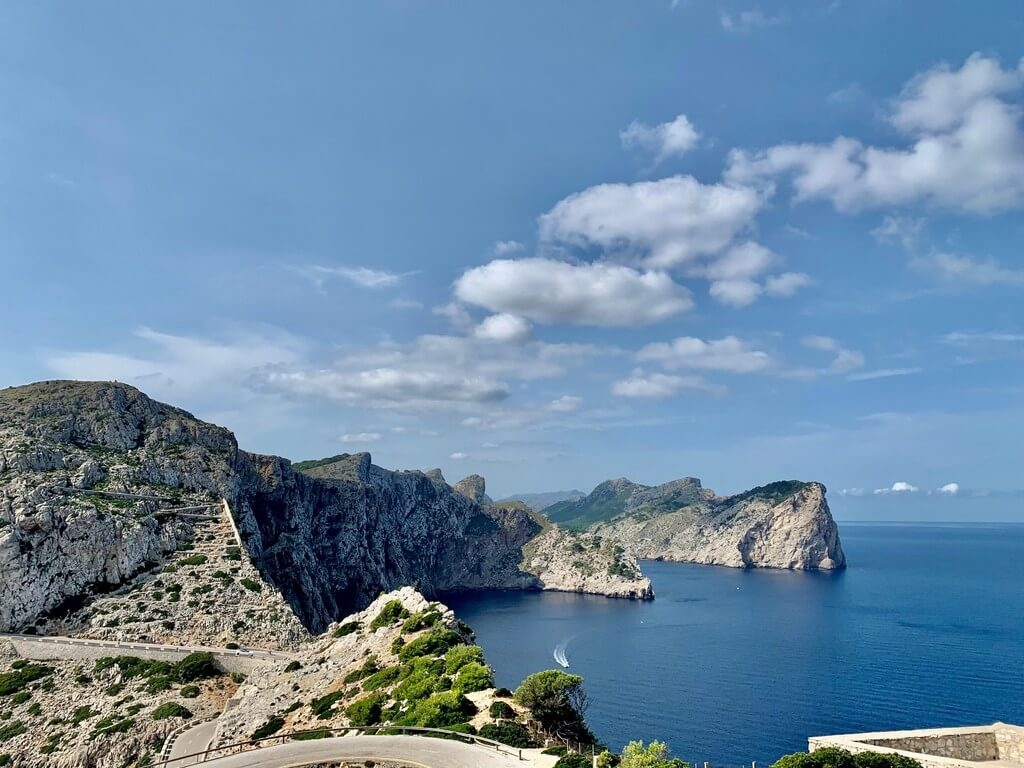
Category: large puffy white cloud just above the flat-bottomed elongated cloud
[669,223]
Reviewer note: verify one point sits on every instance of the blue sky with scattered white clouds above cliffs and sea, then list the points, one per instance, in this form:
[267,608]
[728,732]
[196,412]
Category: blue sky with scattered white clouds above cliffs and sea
[547,243]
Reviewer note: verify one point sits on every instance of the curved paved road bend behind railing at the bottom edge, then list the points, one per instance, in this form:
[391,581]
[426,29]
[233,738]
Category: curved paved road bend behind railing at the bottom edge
[415,751]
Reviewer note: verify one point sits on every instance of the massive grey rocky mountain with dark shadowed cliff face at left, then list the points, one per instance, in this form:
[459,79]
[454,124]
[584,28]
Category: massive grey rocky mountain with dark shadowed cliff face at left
[329,538]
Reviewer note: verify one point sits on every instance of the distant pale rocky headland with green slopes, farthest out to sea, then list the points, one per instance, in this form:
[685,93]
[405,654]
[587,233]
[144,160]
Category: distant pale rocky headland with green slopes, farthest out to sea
[783,526]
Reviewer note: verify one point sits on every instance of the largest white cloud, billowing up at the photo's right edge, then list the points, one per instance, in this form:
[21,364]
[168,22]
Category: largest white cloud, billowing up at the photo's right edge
[966,150]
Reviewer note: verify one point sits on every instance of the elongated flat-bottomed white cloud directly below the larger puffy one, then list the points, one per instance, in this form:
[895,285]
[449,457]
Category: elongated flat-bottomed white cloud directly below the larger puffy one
[550,291]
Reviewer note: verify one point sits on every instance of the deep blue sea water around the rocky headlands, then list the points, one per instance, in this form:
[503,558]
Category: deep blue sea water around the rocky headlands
[926,628]
